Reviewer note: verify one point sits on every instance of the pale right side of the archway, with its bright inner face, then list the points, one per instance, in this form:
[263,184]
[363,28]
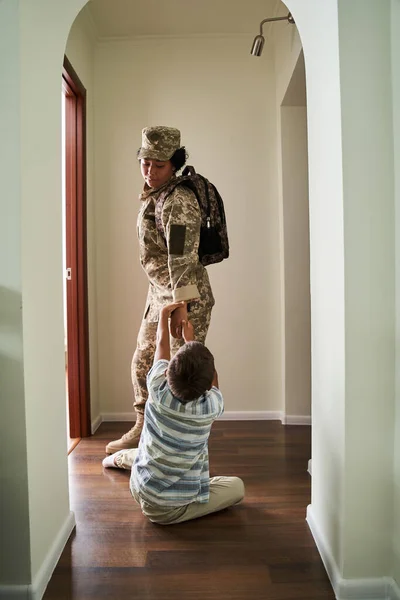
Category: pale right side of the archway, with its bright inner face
[353,366]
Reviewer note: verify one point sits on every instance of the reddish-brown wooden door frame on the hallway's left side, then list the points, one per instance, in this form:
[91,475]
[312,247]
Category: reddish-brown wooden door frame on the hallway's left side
[76,255]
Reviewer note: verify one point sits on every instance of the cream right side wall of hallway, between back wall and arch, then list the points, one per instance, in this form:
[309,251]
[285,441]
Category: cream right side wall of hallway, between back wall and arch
[294,307]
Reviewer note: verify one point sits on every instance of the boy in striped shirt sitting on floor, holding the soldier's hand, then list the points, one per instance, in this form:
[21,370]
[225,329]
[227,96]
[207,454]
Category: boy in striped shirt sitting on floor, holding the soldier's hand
[170,473]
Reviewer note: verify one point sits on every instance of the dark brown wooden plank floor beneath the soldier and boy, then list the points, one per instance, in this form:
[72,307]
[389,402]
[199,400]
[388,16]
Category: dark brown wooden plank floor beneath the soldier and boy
[260,549]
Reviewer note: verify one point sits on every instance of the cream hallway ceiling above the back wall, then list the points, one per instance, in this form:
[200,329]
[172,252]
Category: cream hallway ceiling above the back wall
[128,18]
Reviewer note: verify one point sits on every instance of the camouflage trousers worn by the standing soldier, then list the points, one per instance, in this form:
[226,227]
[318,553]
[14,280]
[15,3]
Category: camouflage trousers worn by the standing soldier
[199,316]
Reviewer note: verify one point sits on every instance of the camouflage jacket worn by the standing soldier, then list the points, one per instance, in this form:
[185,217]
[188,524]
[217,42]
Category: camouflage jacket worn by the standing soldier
[172,266]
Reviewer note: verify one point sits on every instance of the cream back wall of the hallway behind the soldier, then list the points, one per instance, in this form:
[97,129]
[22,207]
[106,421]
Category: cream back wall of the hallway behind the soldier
[222,99]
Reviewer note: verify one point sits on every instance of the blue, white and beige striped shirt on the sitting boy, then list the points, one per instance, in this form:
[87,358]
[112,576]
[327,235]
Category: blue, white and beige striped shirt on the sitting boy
[171,466]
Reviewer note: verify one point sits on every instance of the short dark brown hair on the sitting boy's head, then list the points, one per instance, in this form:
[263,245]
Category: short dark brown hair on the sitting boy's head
[191,371]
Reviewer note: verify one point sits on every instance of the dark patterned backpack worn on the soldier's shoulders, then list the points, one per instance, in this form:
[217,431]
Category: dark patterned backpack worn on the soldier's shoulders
[214,245]
